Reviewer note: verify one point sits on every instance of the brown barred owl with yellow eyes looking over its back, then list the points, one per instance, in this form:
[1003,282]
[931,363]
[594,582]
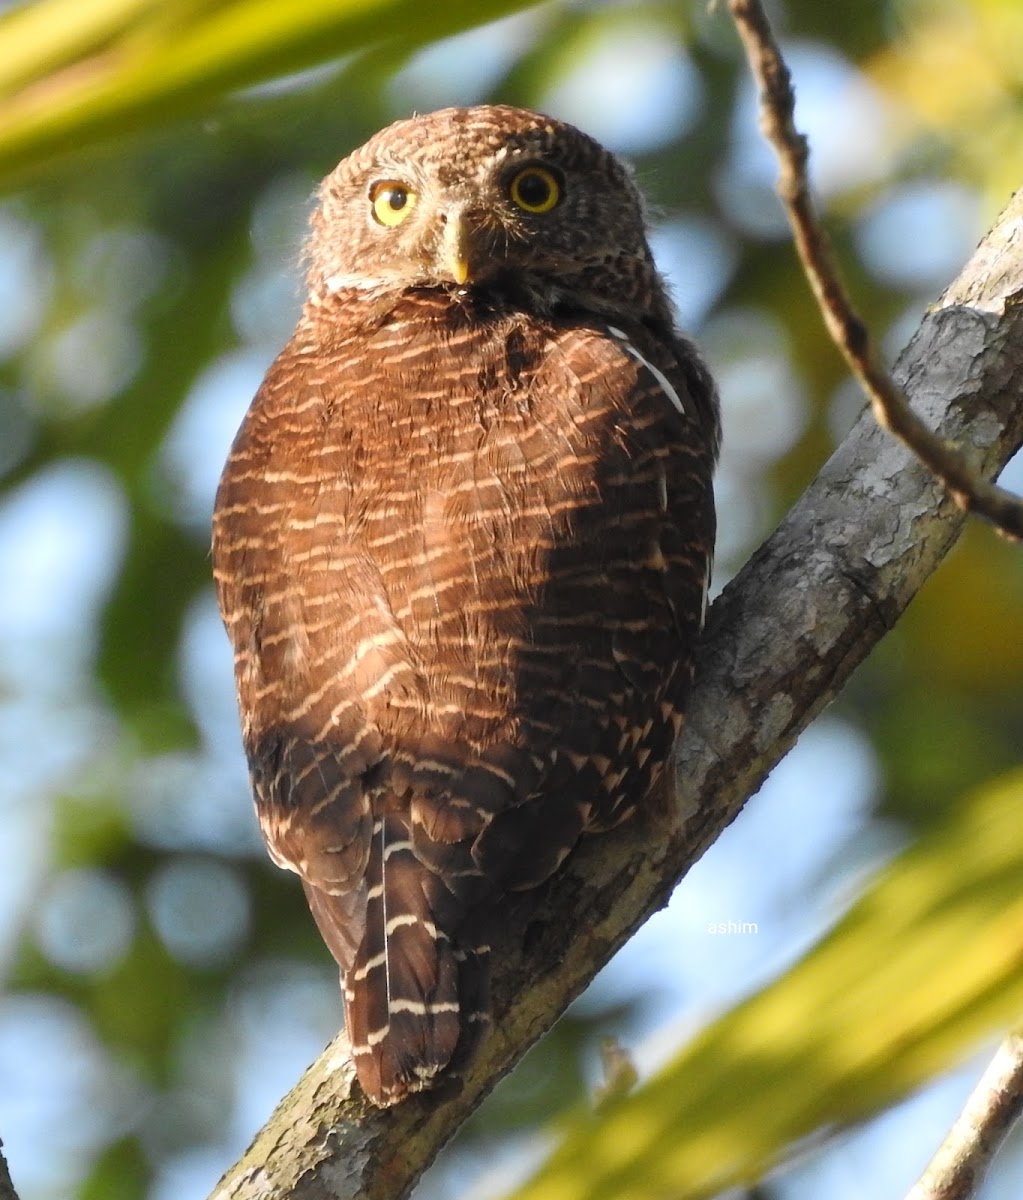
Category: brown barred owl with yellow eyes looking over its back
[462,548]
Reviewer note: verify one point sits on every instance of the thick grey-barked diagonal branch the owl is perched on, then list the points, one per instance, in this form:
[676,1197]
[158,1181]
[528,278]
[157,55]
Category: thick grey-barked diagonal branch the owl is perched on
[781,643]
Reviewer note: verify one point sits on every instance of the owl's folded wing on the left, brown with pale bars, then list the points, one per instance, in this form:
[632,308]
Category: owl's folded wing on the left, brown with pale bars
[276,549]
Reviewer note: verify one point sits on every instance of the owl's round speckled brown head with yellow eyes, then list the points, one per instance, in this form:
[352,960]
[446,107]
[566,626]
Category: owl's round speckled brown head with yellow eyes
[489,199]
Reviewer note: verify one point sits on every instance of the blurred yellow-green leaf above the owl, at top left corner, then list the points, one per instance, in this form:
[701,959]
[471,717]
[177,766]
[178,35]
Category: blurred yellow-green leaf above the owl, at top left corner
[73,73]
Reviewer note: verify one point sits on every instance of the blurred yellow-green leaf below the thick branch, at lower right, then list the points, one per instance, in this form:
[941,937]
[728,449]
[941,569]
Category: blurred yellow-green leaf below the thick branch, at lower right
[925,965]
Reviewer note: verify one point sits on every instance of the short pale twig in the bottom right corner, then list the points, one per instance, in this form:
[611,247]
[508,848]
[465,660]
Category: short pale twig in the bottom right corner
[958,1171]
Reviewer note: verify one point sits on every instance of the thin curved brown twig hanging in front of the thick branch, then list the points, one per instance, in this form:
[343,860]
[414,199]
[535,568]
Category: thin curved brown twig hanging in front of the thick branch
[847,328]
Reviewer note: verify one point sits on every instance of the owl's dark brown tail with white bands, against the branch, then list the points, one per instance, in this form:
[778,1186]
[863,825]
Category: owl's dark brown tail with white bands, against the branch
[416,1003]
